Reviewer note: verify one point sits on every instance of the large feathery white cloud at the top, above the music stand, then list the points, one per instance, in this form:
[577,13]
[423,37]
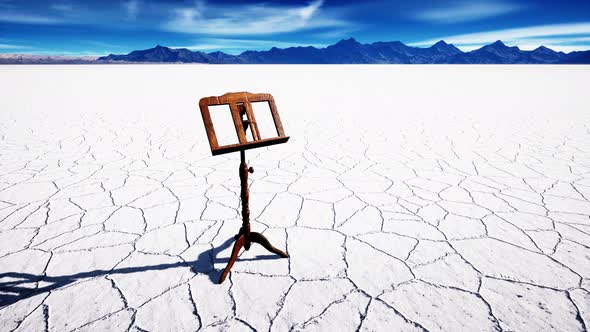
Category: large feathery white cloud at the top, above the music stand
[256,19]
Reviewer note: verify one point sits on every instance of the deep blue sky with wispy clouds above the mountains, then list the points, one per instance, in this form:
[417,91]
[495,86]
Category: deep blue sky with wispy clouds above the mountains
[88,27]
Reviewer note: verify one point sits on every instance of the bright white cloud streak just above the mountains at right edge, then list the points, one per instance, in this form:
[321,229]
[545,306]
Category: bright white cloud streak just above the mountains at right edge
[565,37]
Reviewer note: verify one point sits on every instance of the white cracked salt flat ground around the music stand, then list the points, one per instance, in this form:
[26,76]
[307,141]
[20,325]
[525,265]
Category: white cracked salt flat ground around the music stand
[448,198]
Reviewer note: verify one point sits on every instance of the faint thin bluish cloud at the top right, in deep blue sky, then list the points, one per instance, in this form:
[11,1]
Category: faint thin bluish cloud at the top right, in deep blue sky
[466,11]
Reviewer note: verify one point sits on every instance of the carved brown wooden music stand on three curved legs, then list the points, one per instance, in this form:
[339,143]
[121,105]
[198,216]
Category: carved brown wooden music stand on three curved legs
[243,117]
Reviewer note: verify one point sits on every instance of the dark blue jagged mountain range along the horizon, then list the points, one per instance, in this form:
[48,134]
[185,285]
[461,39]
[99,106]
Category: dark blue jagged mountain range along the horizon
[346,51]
